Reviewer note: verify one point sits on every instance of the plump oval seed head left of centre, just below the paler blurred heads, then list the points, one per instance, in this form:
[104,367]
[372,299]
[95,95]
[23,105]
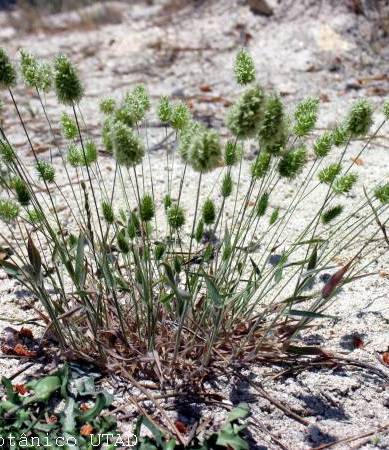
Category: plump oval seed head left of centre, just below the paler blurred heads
[128,149]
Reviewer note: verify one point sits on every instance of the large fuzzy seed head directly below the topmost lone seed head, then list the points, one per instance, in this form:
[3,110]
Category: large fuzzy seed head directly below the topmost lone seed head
[245,116]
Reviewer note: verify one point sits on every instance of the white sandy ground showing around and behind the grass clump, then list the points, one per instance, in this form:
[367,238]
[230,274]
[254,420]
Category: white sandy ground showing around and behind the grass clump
[338,402]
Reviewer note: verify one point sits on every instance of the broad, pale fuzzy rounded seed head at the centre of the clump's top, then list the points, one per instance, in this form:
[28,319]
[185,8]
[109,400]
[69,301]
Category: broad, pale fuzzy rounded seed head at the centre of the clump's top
[205,151]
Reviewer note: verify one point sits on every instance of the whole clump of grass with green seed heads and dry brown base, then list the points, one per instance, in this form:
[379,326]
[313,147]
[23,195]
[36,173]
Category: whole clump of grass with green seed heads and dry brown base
[134,272]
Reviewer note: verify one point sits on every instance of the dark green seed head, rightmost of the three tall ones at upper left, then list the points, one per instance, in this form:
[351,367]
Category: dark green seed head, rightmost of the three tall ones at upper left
[68,86]
